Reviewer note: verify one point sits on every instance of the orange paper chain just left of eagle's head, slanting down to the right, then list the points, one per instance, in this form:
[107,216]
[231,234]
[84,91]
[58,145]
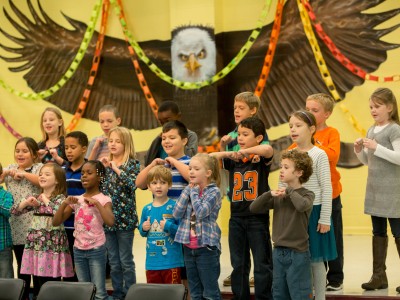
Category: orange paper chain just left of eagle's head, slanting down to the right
[139,74]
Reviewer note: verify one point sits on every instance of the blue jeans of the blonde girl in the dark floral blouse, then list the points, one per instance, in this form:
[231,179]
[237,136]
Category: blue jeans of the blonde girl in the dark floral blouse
[119,249]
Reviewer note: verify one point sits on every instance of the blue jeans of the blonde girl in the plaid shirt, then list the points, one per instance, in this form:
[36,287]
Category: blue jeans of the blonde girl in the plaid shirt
[203,269]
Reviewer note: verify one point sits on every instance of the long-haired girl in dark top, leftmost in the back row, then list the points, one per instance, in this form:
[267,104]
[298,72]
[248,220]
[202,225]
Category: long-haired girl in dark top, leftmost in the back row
[51,147]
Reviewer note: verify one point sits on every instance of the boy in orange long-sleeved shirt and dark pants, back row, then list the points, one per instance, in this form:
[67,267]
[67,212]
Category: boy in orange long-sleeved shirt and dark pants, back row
[328,139]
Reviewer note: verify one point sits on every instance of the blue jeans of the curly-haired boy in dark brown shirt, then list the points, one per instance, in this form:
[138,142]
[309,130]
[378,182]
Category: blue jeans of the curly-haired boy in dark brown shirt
[292,274]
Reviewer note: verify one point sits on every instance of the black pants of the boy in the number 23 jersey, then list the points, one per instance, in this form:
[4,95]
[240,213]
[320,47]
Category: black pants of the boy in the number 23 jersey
[245,234]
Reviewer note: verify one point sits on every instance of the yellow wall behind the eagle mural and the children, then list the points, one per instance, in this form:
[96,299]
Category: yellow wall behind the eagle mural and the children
[154,19]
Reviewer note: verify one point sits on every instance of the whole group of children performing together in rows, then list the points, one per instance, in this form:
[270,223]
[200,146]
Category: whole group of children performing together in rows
[180,223]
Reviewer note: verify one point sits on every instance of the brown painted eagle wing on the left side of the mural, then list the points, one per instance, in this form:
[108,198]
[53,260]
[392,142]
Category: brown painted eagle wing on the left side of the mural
[47,49]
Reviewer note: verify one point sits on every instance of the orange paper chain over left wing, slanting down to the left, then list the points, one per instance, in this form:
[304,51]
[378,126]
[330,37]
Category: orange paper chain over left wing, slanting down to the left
[93,70]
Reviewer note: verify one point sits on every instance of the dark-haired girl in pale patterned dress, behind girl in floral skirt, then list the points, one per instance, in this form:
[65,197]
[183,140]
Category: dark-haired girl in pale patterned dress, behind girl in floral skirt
[22,180]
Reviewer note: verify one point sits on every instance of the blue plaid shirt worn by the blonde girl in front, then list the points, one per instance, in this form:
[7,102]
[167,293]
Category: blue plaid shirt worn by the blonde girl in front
[206,208]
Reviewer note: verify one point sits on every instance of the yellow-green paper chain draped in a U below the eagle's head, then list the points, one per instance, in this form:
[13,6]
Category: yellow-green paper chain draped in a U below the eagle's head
[185,84]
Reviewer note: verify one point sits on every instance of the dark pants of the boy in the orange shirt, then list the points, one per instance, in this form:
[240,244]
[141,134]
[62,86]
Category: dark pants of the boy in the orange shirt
[335,267]
